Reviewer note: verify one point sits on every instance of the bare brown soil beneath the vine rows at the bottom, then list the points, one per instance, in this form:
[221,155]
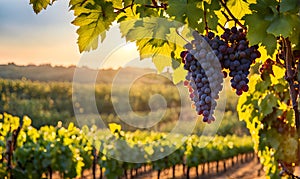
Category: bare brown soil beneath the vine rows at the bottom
[251,169]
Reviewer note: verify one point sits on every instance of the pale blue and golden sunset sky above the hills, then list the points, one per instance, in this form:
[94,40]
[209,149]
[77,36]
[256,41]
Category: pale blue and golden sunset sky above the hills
[49,37]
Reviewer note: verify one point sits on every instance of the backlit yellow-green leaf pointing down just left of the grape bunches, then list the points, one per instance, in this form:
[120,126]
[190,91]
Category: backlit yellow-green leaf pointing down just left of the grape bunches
[151,39]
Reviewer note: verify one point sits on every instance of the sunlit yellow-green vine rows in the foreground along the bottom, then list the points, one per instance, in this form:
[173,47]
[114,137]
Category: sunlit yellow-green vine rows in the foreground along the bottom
[27,152]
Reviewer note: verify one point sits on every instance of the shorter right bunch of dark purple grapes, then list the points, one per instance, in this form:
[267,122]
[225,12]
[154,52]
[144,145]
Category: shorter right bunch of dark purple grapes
[235,55]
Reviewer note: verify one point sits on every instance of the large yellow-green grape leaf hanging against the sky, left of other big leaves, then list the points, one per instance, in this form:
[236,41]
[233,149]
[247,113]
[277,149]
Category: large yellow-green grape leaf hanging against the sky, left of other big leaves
[93,21]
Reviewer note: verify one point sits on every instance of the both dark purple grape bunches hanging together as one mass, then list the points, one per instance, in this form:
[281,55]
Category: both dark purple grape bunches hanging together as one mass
[205,60]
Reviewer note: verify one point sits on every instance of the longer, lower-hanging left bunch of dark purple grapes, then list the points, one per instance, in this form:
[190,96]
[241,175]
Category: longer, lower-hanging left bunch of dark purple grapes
[204,77]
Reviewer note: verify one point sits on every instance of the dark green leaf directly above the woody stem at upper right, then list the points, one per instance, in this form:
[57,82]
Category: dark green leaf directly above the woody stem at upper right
[280,26]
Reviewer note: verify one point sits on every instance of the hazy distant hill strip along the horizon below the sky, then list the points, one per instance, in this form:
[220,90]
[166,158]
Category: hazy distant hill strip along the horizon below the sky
[47,73]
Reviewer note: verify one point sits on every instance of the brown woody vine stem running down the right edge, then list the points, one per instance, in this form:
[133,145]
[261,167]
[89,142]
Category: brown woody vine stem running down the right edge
[289,58]
